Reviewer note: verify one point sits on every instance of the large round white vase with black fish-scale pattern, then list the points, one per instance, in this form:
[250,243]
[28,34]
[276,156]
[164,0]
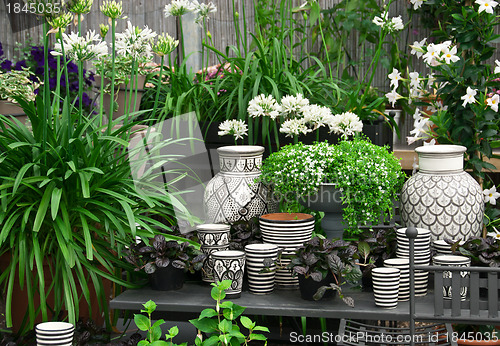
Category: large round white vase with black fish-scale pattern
[442,197]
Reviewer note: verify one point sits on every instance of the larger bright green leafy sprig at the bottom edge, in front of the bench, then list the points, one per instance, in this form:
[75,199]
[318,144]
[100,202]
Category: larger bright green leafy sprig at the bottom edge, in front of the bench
[220,324]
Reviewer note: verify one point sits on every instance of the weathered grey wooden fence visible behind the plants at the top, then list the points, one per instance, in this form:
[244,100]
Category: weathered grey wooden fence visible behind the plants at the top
[221,26]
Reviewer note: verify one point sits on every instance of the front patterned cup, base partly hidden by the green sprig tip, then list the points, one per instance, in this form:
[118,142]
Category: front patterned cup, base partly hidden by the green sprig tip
[229,265]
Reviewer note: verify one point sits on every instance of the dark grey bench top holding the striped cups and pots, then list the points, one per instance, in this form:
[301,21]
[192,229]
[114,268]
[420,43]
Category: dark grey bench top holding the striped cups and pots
[194,297]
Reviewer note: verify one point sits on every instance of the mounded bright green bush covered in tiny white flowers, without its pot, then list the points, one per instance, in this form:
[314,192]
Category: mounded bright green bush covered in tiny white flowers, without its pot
[368,175]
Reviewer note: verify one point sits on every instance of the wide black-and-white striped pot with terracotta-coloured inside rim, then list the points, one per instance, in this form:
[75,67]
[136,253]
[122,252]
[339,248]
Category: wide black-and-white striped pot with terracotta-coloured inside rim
[288,234]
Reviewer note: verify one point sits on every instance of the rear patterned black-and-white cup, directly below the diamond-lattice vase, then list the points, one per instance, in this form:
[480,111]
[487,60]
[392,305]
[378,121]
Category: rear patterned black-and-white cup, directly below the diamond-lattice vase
[213,237]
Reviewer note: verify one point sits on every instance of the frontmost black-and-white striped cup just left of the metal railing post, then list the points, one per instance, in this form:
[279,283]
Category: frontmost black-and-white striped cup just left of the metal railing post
[386,286]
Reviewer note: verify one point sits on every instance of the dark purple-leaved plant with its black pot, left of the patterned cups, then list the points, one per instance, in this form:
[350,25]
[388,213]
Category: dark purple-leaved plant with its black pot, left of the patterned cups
[166,262]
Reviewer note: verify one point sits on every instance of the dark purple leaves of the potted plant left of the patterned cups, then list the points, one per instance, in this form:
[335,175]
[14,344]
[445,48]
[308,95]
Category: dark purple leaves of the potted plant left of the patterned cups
[162,253]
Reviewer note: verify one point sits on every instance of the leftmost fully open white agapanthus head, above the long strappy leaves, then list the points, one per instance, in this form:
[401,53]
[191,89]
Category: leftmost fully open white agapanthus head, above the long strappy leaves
[82,48]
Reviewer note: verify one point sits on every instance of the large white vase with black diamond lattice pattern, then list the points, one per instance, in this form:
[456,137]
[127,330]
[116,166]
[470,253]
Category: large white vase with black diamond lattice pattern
[233,195]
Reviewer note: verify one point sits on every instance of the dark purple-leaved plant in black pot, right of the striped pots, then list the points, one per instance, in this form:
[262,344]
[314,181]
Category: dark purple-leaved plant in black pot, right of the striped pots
[322,266]
